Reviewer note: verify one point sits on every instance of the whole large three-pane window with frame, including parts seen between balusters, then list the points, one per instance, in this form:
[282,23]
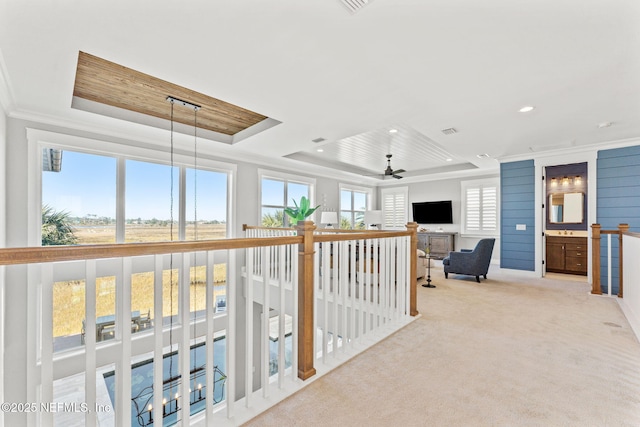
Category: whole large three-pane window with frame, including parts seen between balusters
[91,193]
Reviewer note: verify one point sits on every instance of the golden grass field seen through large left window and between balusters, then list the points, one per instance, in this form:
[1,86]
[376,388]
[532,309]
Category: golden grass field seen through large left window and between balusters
[69,297]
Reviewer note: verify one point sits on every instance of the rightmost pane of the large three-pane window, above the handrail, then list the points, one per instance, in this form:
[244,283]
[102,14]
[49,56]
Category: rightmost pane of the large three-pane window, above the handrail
[206,196]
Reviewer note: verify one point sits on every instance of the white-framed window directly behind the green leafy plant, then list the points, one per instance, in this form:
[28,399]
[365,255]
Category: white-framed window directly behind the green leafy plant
[279,191]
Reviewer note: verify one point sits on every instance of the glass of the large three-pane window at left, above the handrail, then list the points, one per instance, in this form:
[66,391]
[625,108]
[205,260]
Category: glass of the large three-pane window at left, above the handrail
[80,200]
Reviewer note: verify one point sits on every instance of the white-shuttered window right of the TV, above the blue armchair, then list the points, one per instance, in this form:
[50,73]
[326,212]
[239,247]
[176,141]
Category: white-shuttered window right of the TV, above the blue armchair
[480,207]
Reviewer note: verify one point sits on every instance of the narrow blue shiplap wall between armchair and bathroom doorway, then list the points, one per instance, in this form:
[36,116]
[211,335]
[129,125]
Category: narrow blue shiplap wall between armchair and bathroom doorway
[517,206]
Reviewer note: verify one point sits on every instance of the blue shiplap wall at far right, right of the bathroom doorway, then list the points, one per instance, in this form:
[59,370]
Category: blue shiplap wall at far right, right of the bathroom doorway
[618,201]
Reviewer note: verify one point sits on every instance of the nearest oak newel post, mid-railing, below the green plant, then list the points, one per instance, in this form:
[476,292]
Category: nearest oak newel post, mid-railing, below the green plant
[305,300]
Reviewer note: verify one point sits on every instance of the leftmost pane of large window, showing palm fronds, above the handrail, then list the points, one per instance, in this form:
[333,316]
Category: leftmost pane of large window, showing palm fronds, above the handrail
[78,198]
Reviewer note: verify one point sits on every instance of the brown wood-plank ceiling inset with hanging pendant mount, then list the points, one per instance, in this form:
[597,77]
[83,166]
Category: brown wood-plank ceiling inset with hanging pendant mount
[105,82]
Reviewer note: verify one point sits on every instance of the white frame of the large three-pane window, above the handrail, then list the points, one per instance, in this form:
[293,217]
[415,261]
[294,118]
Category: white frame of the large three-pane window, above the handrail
[39,139]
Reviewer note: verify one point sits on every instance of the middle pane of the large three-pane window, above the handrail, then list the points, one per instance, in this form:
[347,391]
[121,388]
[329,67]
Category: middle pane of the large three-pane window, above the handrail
[148,202]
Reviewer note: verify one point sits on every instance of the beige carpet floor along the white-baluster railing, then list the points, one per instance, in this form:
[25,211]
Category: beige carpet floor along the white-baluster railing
[510,351]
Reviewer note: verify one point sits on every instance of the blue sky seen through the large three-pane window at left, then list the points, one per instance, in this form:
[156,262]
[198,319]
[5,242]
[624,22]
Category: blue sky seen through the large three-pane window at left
[86,185]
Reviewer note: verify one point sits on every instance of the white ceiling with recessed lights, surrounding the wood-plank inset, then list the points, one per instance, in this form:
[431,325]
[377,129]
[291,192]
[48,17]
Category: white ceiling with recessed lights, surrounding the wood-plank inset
[415,65]
